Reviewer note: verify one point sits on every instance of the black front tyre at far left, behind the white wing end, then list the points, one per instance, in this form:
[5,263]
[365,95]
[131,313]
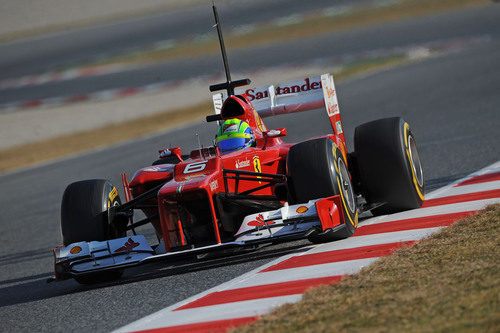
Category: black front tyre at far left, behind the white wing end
[85,216]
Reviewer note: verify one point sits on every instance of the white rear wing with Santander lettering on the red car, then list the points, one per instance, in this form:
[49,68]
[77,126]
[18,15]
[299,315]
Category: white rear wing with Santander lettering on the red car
[305,94]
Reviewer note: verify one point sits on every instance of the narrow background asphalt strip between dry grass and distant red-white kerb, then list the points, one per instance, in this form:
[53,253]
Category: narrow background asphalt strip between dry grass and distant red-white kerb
[477,22]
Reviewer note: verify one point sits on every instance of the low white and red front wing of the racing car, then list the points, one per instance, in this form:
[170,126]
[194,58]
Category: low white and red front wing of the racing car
[287,223]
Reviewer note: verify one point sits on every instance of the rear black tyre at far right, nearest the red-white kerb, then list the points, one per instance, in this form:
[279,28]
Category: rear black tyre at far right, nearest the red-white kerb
[390,171]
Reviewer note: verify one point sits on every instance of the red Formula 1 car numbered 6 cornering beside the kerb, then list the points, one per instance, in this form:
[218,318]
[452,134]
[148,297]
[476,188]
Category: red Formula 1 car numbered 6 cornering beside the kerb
[267,193]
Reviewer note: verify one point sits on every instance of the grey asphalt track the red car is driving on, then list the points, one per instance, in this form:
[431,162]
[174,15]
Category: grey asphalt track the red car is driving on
[451,102]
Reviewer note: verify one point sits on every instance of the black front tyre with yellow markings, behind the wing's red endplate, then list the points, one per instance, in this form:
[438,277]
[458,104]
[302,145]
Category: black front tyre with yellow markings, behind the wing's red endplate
[317,169]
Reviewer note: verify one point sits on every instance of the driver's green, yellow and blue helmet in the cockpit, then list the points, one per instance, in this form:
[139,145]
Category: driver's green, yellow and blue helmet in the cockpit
[234,134]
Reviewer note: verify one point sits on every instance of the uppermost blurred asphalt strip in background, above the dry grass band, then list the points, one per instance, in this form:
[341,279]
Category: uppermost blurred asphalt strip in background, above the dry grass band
[39,54]
